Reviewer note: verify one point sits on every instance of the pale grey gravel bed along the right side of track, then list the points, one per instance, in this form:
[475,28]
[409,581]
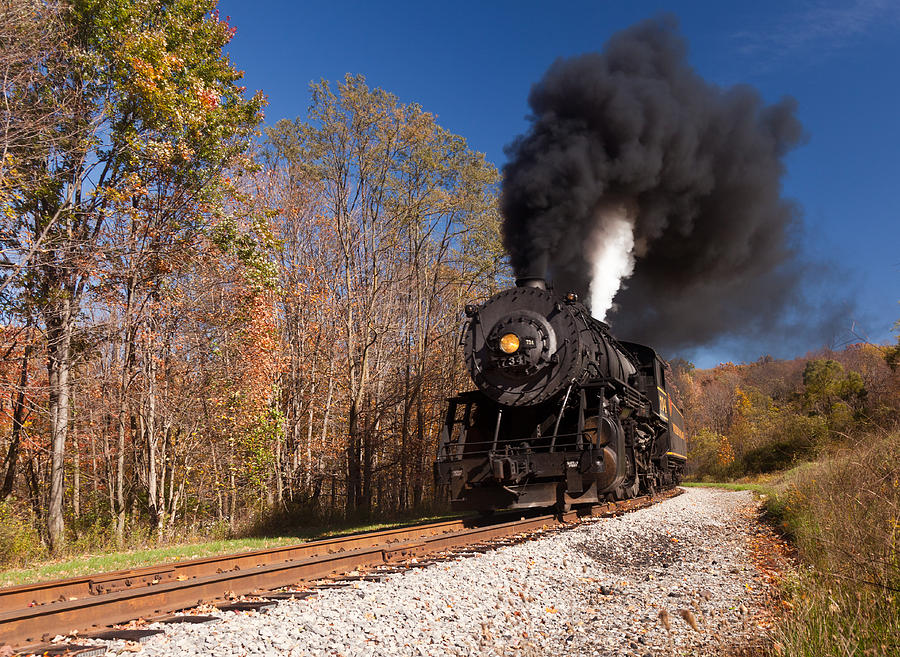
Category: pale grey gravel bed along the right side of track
[606,588]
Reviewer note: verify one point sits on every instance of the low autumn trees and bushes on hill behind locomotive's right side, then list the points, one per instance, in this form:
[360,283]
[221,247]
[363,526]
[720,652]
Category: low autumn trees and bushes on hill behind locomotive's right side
[772,414]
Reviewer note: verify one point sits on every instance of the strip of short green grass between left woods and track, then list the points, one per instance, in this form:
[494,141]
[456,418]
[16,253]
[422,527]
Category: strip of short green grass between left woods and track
[97,563]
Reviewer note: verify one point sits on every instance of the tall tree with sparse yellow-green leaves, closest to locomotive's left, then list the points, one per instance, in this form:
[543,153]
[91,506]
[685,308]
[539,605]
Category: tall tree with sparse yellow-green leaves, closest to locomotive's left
[407,202]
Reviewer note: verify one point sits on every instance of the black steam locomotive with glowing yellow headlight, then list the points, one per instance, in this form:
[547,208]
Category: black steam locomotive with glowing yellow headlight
[563,413]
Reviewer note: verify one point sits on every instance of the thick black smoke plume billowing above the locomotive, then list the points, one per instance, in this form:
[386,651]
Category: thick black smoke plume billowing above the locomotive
[715,243]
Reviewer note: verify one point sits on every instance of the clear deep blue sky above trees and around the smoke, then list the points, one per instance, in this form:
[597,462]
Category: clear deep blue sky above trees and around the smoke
[472,64]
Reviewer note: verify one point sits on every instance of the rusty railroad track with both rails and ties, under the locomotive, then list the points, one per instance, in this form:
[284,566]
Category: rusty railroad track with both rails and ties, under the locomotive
[32,614]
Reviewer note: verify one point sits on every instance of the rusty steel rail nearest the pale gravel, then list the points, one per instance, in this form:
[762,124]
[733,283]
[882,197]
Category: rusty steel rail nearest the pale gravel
[30,625]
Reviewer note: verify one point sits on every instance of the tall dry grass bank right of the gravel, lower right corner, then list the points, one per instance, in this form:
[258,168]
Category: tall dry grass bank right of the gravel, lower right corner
[843,513]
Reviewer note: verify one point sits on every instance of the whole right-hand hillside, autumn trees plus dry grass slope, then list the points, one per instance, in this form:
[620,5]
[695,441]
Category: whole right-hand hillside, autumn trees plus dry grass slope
[819,438]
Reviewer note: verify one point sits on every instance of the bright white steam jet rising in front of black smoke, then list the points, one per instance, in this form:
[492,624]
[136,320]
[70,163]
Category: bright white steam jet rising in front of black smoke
[611,254]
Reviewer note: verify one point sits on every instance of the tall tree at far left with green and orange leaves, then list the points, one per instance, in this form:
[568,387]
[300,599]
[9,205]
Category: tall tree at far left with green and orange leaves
[155,116]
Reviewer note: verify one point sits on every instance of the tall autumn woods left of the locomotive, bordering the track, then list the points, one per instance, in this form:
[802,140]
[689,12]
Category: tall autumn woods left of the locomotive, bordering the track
[203,320]
